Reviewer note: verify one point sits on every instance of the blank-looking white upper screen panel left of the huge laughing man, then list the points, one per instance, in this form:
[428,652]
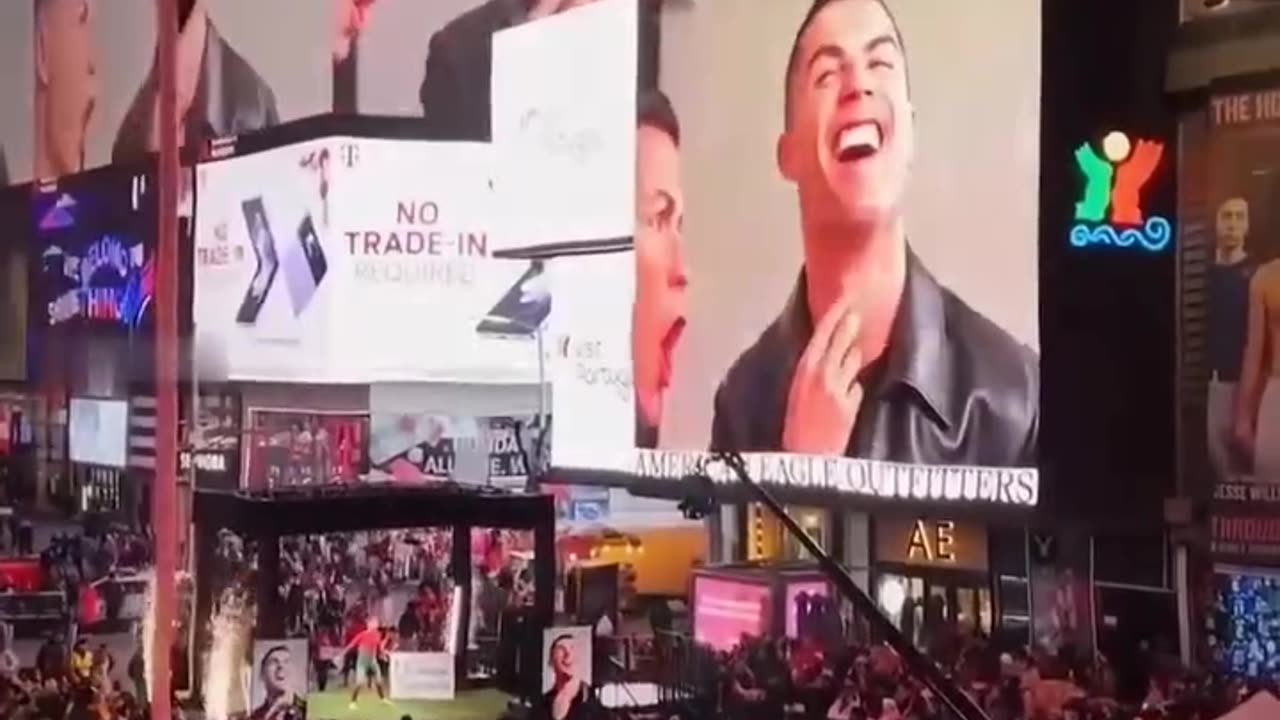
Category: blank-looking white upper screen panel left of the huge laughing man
[564,122]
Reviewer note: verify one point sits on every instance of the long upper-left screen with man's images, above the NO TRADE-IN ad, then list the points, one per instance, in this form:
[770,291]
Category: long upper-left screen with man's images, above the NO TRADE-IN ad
[90,67]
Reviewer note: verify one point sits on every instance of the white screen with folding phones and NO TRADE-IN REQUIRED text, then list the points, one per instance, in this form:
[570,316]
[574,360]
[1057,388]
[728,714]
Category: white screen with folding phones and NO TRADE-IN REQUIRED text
[349,261]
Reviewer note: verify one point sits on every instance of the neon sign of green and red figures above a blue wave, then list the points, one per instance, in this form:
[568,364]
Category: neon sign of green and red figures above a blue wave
[1116,183]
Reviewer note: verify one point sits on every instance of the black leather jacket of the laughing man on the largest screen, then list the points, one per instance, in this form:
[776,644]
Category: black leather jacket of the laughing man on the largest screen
[953,389]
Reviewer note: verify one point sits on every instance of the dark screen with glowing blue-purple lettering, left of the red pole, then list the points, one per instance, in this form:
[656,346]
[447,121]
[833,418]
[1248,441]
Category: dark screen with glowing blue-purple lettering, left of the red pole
[95,245]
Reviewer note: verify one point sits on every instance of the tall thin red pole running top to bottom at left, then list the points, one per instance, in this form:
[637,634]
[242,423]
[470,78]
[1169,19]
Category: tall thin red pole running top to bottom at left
[164,513]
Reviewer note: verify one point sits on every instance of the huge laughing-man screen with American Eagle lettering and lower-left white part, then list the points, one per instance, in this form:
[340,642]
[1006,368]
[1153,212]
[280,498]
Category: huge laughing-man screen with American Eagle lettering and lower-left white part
[835,265]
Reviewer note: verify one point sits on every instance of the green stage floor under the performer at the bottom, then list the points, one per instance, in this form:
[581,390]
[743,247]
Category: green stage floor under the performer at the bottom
[470,705]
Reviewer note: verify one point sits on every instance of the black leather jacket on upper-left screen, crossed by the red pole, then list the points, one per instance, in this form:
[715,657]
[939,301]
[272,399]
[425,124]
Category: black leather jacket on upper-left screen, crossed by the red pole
[231,99]
